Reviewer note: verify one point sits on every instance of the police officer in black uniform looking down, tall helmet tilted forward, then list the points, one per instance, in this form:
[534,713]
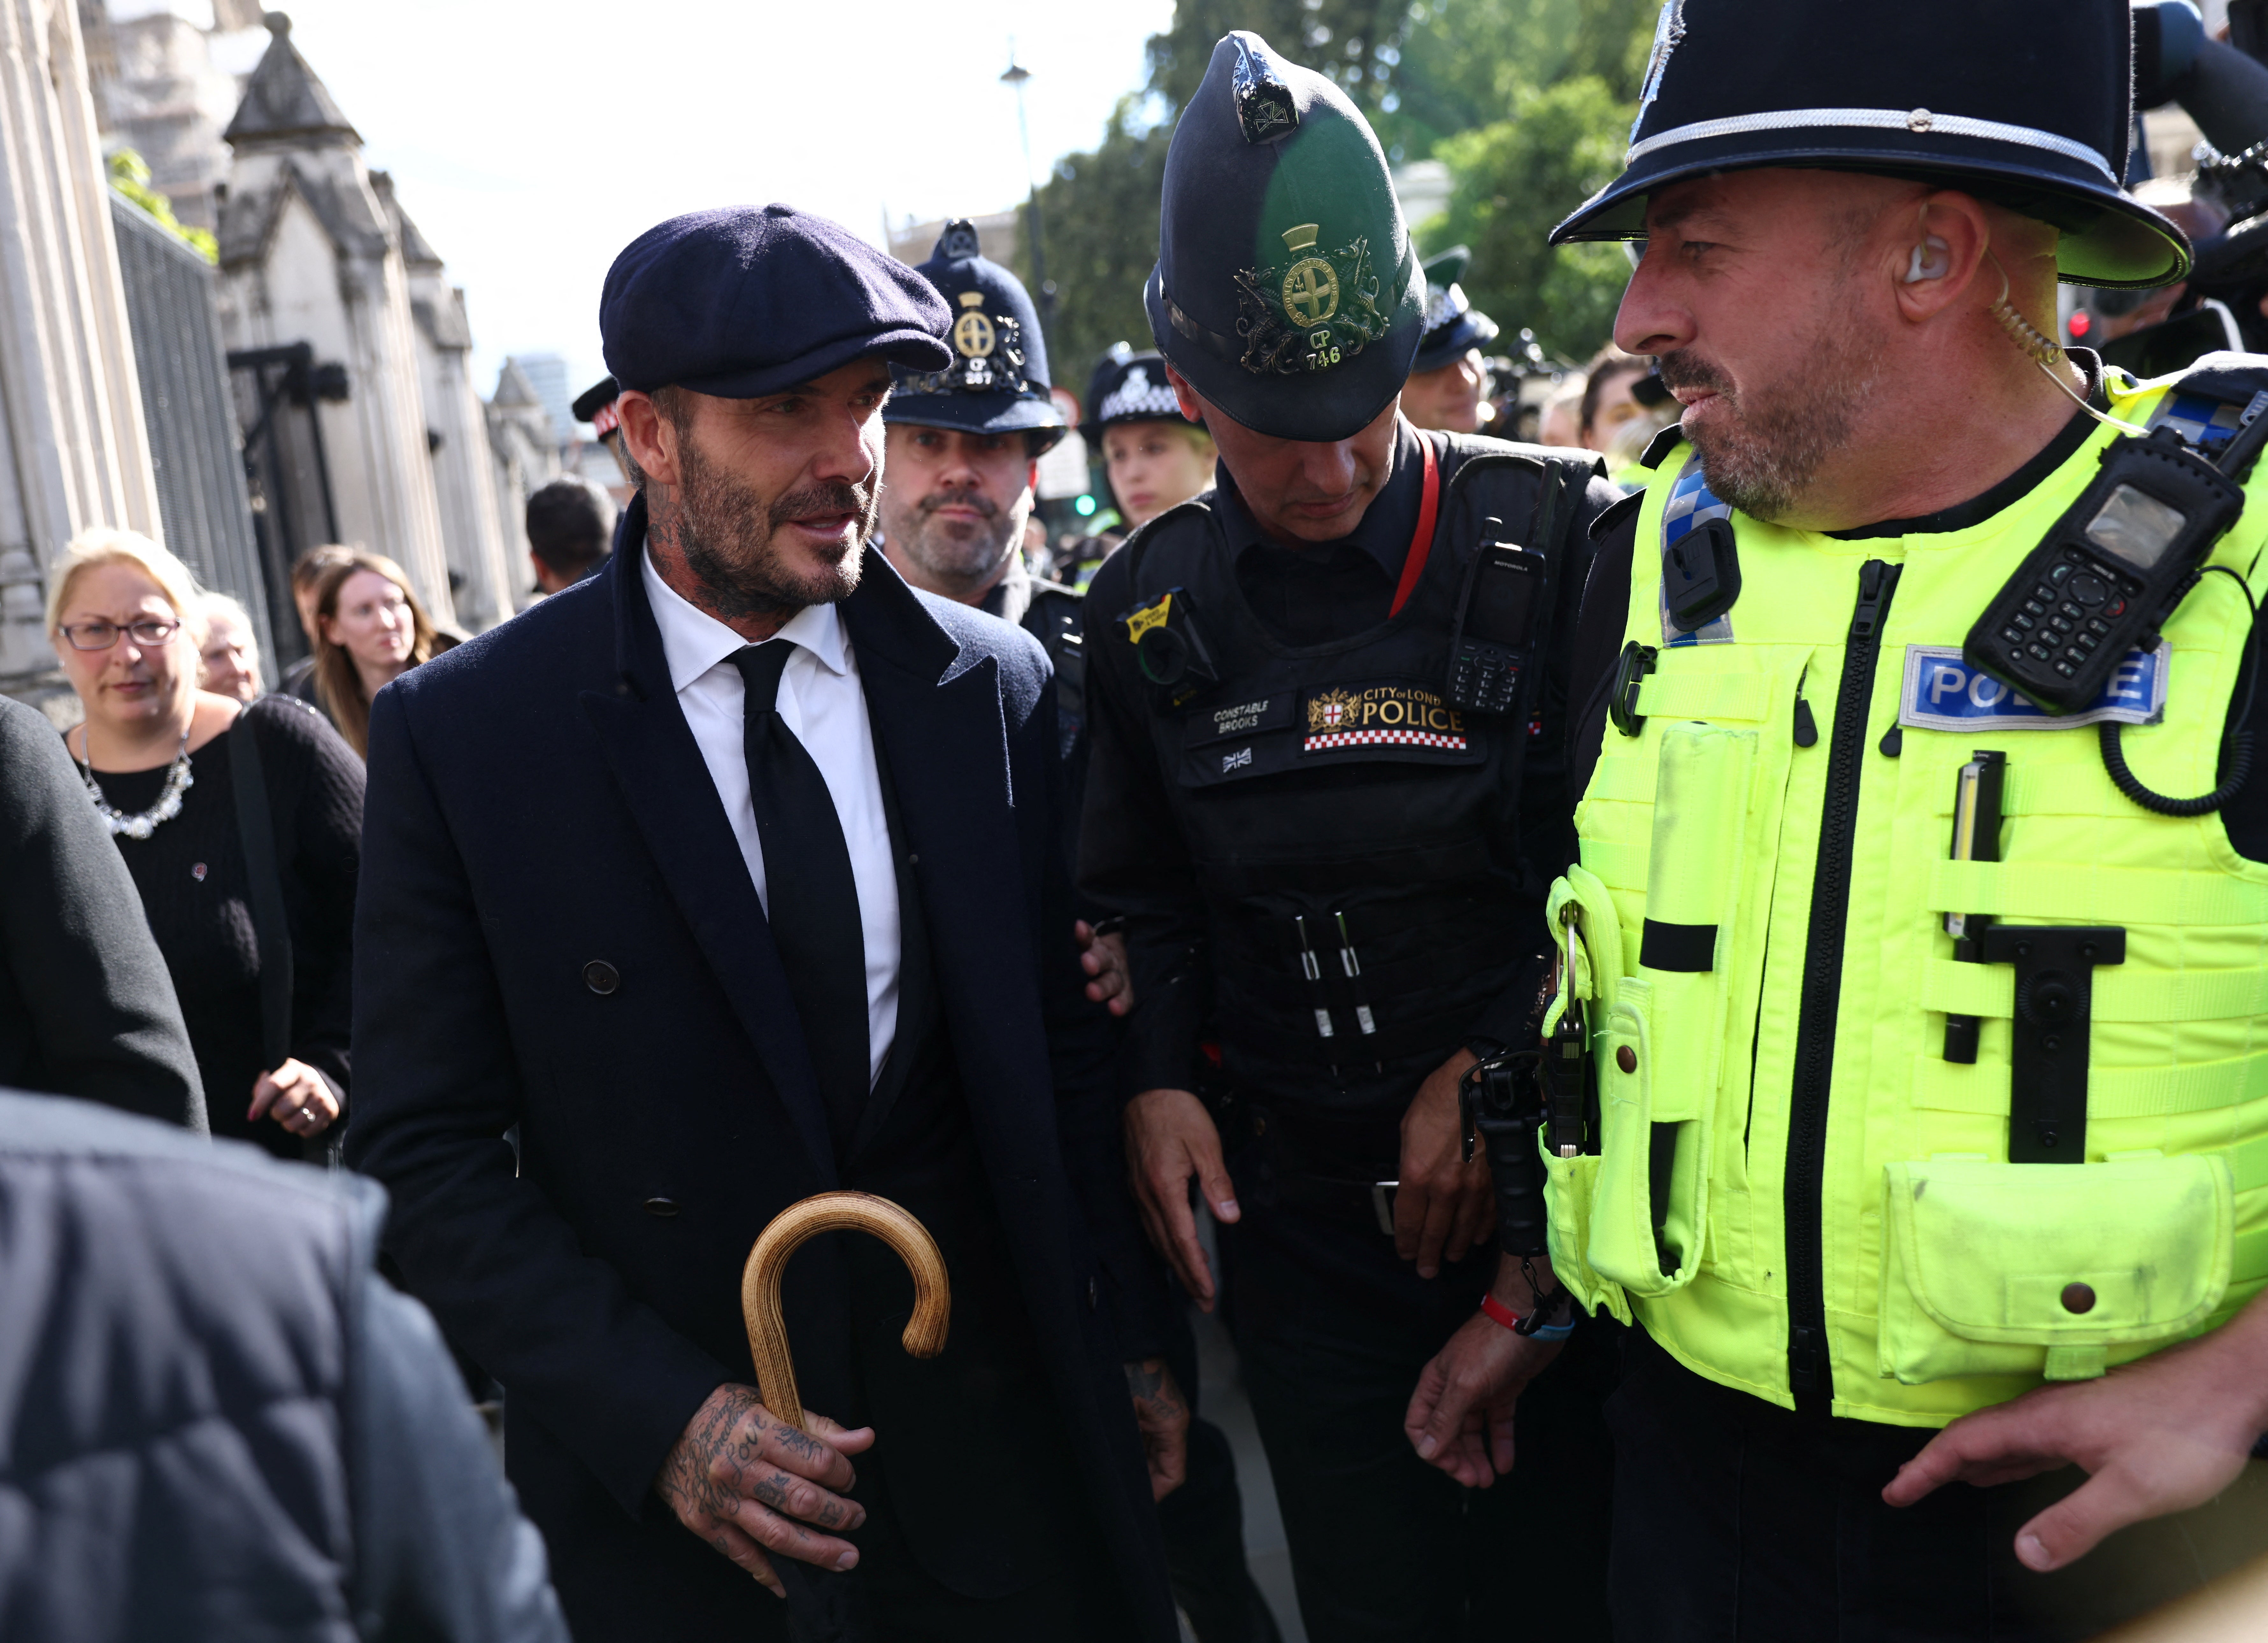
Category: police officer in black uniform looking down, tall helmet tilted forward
[1328,800]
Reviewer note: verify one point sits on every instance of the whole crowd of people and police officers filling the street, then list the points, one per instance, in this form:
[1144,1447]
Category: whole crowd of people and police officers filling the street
[1473,913]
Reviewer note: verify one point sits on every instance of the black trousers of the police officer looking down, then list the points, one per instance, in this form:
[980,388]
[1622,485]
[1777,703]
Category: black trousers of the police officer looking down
[1332,1331]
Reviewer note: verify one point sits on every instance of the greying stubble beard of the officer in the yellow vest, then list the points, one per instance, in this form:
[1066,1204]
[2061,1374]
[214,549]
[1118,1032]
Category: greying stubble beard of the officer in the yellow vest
[1772,439]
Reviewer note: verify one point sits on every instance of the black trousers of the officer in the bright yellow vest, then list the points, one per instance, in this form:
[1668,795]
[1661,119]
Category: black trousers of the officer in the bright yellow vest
[1738,1522]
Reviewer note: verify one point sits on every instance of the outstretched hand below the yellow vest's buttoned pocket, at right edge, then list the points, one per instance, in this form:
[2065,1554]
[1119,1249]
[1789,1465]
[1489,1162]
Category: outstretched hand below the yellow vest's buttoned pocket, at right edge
[2160,1435]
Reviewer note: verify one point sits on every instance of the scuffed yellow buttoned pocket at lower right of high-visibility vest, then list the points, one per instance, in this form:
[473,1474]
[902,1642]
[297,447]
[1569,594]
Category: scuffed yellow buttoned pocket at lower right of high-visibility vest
[2049,1270]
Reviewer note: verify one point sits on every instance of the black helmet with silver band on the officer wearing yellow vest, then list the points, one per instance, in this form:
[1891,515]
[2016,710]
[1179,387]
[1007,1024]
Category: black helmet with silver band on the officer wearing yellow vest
[2024,103]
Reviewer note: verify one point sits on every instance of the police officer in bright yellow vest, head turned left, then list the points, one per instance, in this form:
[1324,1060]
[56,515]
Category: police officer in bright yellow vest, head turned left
[1918,947]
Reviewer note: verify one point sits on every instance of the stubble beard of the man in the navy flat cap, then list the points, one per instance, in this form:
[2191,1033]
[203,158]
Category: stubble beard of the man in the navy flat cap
[725,530]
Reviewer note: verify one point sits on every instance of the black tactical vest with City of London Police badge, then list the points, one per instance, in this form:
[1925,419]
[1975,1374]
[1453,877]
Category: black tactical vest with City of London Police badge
[1353,832]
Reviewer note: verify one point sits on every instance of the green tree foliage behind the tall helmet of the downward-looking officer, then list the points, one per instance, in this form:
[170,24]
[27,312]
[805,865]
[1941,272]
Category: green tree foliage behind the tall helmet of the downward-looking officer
[1437,78]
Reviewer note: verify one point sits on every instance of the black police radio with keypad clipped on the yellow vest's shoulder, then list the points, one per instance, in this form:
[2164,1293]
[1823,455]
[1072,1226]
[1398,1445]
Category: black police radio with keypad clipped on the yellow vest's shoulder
[2115,566]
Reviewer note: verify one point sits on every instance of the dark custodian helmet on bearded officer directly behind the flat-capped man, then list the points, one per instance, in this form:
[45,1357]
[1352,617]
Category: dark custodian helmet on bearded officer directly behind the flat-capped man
[999,373]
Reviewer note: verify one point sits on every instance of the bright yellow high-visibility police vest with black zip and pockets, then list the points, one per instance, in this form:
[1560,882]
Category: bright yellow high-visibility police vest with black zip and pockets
[1927,1272]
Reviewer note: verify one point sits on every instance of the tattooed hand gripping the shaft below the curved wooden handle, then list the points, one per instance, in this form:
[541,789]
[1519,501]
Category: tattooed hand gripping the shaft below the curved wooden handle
[743,1478]
